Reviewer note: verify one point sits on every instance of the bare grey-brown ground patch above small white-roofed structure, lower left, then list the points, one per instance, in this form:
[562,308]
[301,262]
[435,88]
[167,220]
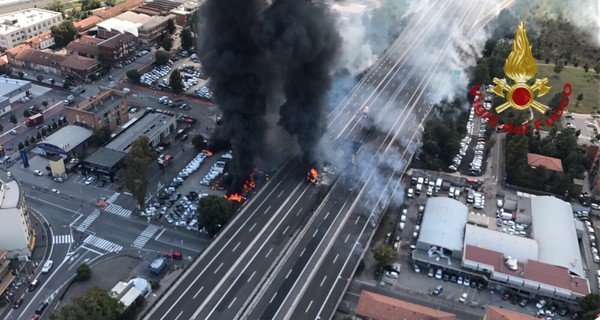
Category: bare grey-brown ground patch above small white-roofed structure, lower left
[105,275]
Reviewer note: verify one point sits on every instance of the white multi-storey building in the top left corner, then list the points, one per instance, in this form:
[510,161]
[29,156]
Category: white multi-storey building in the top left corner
[19,26]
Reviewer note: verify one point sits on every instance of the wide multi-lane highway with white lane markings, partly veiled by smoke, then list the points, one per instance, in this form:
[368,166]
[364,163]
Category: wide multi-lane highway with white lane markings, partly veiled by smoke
[279,260]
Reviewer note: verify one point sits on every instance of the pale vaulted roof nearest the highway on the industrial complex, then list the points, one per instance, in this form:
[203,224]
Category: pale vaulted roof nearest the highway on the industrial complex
[444,223]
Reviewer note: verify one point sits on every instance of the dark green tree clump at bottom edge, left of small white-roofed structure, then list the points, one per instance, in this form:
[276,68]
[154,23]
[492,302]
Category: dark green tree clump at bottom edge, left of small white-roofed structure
[93,304]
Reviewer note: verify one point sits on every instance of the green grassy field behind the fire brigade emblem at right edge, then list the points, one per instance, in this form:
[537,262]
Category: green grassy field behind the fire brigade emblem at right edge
[581,82]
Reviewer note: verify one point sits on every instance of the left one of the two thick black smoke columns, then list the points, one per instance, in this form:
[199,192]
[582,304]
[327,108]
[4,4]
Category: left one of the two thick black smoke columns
[239,77]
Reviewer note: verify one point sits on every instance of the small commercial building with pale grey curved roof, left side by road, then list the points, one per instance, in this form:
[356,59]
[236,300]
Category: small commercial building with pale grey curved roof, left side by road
[69,140]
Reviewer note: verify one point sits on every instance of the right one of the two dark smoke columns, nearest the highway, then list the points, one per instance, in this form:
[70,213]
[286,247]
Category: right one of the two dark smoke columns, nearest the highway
[303,42]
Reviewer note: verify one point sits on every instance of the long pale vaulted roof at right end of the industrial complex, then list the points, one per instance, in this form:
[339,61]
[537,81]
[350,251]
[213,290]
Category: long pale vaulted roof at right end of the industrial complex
[554,230]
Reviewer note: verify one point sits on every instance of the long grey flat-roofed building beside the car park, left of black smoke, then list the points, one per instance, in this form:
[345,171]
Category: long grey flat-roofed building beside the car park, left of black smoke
[155,125]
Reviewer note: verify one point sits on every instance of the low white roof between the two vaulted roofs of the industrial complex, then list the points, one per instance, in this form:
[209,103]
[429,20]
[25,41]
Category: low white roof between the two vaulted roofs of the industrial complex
[517,247]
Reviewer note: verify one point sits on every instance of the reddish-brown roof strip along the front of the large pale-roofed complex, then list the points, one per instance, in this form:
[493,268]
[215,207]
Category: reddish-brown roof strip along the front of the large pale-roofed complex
[535,271]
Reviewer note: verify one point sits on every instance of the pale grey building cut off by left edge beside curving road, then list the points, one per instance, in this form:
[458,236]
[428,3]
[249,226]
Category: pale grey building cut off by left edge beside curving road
[16,233]
